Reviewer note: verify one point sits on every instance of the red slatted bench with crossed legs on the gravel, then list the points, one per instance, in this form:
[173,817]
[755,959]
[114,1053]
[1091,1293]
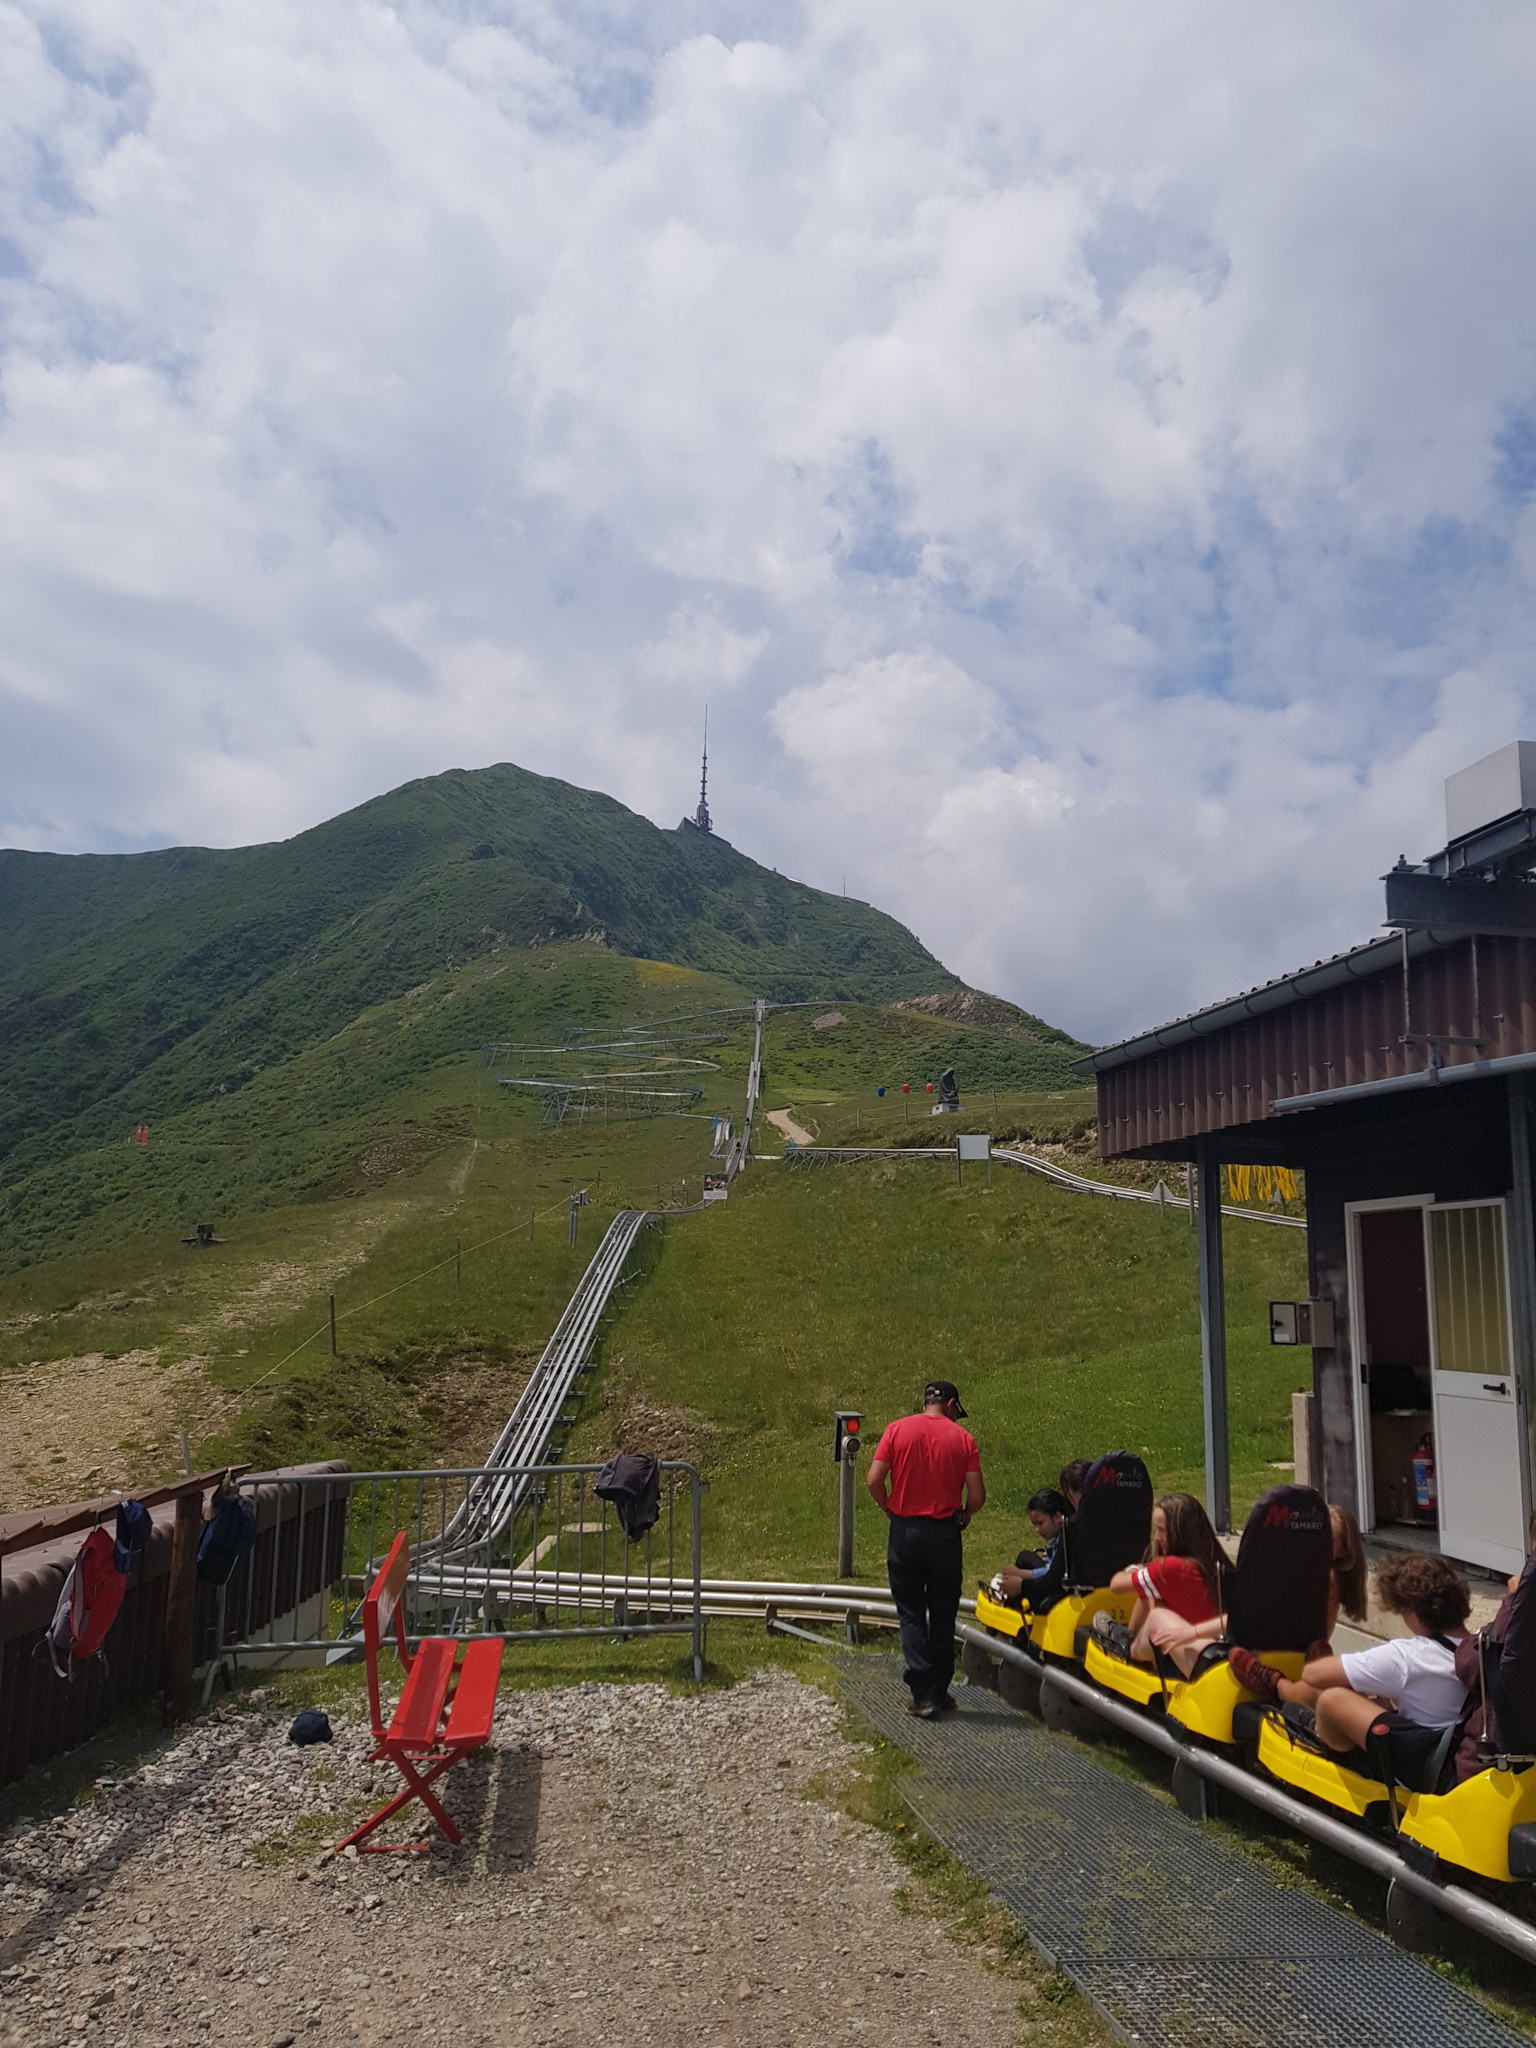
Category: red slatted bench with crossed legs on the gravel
[443,1713]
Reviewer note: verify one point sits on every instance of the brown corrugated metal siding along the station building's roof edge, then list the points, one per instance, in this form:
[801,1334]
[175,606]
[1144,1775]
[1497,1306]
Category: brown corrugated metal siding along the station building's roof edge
[1336,1039]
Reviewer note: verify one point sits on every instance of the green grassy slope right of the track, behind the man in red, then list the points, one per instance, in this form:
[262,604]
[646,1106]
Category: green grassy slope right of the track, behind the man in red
[1070,1324]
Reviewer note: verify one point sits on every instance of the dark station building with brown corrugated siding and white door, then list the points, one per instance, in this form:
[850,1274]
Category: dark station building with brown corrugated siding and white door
[1400,1078]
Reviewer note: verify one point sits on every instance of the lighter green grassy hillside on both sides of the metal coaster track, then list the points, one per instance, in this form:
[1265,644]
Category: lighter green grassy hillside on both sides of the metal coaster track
[1070,1324]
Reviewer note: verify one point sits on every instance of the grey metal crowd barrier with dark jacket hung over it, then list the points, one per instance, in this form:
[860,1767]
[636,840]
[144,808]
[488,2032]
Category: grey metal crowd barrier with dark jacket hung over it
[513,1551]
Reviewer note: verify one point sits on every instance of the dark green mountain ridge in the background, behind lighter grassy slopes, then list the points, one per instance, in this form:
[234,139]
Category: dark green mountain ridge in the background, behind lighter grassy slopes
[134,986]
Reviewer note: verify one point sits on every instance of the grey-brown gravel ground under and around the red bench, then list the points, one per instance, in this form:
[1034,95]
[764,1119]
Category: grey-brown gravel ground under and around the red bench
[636,1867]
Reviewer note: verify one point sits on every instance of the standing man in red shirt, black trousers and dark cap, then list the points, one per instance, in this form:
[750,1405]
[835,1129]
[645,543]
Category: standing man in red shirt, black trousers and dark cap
[935,1486]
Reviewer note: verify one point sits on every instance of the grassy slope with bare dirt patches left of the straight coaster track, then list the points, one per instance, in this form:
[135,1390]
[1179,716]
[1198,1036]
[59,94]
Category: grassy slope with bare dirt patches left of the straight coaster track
[353,1170]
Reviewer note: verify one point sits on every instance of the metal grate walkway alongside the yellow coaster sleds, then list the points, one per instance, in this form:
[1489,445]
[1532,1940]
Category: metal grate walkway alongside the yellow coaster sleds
[1179,1940]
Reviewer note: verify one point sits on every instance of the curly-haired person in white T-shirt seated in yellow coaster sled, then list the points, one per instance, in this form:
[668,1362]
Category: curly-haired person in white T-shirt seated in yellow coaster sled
[1398,1701]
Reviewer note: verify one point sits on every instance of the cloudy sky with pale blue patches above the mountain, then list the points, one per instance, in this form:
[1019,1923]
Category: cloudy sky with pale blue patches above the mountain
[1082,456]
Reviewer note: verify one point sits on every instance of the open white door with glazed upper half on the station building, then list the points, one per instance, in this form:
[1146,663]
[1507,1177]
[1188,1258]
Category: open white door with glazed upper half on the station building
[1476,1396]
